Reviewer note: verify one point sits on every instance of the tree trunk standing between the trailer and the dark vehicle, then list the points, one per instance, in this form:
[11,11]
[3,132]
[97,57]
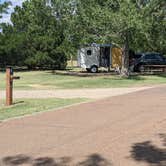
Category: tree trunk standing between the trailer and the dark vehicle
[125,58]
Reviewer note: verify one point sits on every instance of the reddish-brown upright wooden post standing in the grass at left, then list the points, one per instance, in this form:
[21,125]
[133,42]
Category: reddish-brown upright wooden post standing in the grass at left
[9,86]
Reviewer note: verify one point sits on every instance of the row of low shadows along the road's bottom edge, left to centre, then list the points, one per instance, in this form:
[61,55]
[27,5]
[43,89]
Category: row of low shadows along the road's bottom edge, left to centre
[92,160]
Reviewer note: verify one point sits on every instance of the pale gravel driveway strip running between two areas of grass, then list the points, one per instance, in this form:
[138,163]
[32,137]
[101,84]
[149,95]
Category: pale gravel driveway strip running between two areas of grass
[74,93]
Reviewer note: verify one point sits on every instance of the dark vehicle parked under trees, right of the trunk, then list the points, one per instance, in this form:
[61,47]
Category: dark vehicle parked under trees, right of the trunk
[148,60]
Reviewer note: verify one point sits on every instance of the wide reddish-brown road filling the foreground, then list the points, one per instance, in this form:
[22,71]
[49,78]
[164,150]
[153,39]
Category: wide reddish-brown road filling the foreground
[128,130]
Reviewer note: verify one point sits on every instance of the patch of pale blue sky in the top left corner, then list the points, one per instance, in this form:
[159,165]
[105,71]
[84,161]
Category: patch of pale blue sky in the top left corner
[6,17]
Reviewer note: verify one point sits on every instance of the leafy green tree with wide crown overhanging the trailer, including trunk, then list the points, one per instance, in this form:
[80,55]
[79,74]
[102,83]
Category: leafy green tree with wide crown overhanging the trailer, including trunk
[115,21]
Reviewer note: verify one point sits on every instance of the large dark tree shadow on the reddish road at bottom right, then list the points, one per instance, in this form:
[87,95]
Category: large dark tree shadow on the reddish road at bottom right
[149,153]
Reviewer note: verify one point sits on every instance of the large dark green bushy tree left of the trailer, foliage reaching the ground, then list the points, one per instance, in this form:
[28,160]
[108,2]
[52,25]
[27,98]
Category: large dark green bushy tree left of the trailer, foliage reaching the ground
[37,36]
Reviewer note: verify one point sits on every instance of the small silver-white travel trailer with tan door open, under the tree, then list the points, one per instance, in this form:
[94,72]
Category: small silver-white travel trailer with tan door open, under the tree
[99,55]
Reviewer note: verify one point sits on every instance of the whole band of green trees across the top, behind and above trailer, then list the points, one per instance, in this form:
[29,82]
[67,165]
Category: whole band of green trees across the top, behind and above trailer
[45,33]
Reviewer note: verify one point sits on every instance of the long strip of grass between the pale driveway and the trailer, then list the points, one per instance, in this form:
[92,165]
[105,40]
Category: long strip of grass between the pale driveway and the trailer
[41,80]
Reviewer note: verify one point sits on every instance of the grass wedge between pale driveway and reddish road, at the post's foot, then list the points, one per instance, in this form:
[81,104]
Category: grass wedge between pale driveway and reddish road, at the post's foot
[29,106]
